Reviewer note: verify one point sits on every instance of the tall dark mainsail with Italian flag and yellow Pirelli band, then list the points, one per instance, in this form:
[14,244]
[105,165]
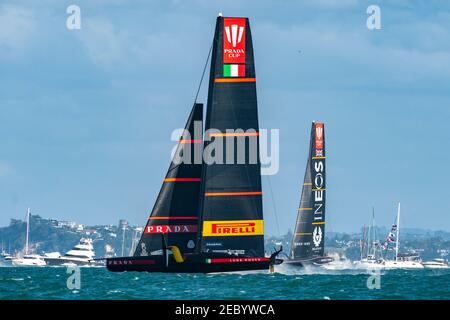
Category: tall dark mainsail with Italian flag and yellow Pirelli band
[232,210]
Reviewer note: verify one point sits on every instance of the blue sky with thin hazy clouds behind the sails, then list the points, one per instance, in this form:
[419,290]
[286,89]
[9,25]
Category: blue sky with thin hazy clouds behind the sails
[86,115]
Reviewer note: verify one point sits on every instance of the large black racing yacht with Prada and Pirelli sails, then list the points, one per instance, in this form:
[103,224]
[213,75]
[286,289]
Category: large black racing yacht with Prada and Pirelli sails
[208,217]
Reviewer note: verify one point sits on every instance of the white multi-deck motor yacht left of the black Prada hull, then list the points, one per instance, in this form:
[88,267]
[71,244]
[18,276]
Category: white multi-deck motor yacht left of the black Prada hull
[82,254]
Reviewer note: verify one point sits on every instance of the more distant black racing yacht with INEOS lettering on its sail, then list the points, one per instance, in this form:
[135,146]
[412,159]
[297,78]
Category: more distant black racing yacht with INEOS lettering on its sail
[309,236]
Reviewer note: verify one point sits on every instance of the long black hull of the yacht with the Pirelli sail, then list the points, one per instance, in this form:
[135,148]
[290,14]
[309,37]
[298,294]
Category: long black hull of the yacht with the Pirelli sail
[192,265]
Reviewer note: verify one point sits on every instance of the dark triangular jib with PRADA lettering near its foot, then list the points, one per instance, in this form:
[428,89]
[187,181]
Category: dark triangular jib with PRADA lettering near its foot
[176,210]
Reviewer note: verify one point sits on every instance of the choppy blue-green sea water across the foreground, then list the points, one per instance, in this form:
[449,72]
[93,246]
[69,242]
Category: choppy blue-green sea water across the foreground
[98,283]
